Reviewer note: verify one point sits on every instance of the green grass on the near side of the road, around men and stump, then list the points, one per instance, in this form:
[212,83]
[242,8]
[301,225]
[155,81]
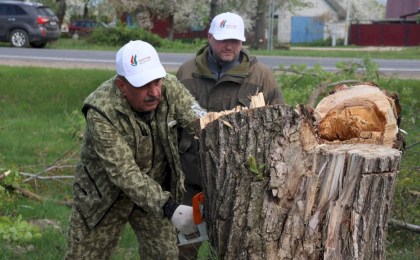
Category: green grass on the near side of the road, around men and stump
[38,128]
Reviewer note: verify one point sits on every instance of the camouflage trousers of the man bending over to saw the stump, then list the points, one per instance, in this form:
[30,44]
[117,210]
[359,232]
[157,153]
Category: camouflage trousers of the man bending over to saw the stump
[156,235]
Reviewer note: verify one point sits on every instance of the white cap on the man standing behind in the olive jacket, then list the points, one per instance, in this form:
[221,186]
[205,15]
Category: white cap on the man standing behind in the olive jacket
[227,26]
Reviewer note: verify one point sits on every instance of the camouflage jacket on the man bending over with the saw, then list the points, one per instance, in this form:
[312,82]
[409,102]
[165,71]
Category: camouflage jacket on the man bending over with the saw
[113,156]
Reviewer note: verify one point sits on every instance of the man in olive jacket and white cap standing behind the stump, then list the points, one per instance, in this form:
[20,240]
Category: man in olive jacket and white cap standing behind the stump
[221,76]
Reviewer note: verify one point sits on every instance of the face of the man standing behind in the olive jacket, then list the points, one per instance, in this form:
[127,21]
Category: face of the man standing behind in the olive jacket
[225,50]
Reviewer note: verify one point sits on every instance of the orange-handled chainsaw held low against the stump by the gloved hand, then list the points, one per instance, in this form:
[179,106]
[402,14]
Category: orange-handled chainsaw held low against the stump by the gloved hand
[201,235]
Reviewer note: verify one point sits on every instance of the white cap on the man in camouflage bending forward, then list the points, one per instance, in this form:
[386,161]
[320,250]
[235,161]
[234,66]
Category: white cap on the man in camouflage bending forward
[139,63]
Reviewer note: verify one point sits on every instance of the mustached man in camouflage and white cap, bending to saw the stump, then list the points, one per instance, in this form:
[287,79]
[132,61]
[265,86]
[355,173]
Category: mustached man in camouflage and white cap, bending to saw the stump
[129,169]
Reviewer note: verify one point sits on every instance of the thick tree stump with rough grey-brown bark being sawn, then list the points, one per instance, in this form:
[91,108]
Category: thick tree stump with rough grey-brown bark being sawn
[275,190]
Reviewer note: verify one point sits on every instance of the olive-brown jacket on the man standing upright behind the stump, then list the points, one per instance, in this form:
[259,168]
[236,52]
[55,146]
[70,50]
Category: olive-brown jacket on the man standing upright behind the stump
[232,89]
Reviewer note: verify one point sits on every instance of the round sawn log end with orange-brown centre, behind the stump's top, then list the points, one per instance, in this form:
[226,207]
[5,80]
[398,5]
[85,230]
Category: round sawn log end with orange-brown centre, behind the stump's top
[358,114]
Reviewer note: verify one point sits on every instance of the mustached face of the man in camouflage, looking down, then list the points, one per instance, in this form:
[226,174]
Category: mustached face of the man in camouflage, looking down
[141,99]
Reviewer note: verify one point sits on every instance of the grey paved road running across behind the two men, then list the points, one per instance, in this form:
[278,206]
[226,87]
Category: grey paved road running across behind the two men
[171,61]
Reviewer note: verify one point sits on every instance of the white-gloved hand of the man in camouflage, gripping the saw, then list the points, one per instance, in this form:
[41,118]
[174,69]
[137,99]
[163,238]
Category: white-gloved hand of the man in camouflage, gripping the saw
[183,220]
